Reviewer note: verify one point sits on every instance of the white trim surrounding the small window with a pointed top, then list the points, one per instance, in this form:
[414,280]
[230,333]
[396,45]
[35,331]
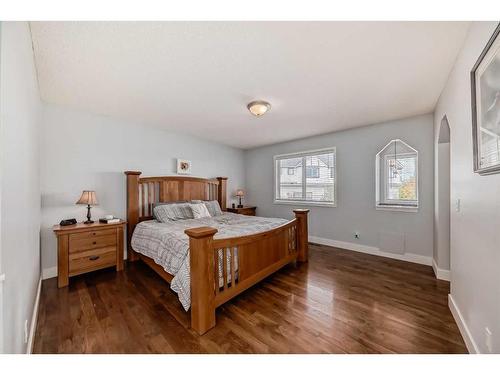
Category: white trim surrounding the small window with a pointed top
[394,205]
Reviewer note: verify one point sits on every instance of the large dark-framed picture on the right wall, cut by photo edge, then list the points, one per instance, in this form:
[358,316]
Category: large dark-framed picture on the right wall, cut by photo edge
[485,86]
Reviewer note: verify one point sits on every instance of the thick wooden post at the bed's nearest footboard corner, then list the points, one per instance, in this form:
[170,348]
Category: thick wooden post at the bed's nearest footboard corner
[201,255]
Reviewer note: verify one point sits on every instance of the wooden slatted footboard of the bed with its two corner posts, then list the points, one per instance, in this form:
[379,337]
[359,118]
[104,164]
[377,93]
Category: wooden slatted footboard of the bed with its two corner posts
[223,268]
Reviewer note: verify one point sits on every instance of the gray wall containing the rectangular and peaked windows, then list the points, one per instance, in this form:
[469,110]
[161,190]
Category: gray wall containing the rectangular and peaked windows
[355,211]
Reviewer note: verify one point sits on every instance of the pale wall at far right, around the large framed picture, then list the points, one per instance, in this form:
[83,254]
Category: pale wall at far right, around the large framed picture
[475,235]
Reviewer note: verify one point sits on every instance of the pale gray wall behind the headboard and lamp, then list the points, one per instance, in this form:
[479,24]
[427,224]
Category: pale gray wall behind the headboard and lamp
[84,151]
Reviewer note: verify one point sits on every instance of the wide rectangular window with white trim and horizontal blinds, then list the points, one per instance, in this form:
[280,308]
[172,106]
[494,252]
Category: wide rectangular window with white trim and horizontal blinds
[313,179]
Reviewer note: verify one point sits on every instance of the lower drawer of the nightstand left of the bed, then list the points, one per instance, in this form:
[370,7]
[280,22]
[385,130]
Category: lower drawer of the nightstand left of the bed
[92,260]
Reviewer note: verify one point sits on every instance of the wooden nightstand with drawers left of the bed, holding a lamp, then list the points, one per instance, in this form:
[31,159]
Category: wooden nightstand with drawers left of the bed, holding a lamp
[83,248]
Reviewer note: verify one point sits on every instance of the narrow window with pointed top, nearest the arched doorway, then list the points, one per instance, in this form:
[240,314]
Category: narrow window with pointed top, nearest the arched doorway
[397,177]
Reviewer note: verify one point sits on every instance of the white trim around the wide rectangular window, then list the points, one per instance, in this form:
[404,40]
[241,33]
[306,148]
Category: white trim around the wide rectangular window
[304,202]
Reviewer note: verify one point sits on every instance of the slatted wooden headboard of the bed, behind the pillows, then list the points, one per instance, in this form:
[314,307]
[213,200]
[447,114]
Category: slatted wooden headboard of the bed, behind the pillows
[144,192]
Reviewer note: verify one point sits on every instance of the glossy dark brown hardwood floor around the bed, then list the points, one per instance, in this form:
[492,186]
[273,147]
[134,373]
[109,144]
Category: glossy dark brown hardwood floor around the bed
[339,302]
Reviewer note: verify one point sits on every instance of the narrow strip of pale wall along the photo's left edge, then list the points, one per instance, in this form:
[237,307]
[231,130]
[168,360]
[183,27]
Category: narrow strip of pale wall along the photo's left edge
[20,182]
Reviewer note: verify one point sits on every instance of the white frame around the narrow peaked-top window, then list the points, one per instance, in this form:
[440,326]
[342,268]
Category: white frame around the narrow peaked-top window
[381,181]
